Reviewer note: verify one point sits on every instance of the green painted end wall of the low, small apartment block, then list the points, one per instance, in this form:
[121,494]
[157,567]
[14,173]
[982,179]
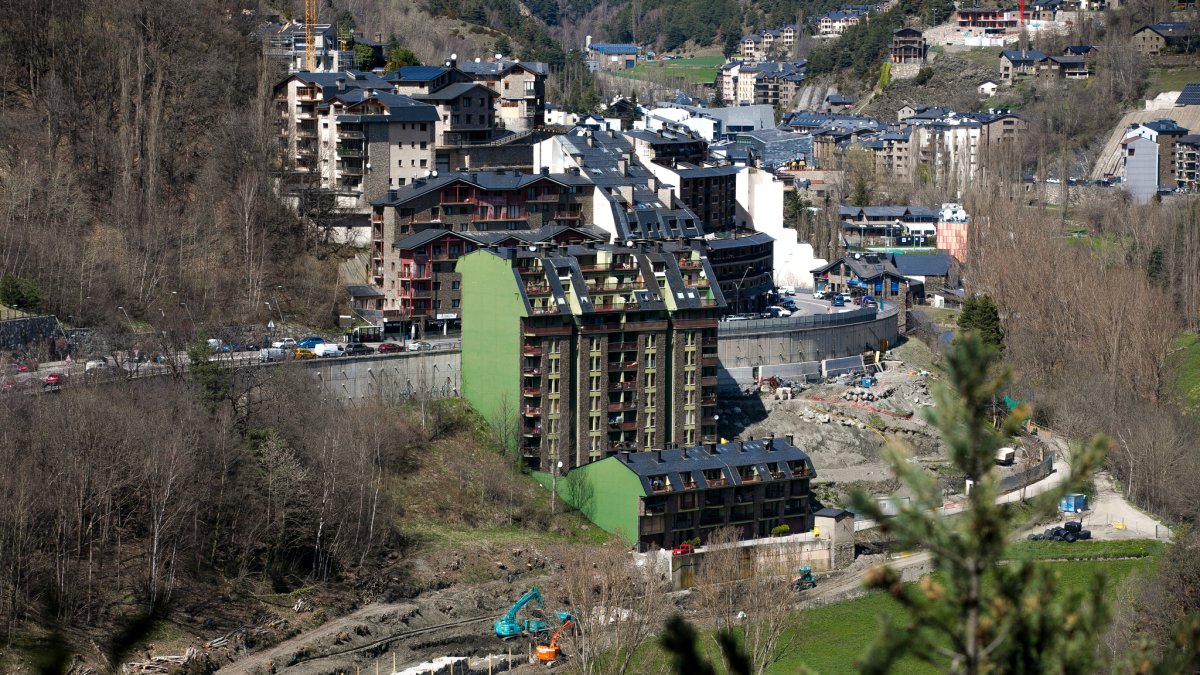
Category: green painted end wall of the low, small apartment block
[608,493]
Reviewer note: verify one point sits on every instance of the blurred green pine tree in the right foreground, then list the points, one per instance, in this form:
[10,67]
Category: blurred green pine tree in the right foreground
[974,614]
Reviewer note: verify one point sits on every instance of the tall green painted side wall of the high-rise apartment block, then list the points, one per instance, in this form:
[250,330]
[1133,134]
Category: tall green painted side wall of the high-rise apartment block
[491,336]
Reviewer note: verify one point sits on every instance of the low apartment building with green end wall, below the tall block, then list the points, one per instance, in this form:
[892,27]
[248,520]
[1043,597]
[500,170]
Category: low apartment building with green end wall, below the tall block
[662,499]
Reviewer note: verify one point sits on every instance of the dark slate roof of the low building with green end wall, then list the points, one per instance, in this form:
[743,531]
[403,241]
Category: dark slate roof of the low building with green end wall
[727,458]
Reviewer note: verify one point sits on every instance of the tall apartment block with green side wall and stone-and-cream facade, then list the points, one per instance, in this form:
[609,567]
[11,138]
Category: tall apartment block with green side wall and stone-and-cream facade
[597,350]
